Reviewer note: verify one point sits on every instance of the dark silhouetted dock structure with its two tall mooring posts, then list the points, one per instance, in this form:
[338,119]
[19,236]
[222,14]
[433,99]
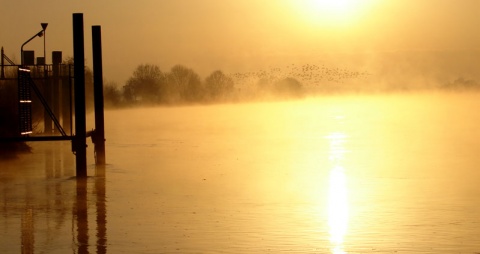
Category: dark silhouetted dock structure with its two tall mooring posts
[52,85]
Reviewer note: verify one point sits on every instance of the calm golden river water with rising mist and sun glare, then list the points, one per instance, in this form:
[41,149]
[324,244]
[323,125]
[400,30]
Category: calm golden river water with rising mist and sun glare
[340,174]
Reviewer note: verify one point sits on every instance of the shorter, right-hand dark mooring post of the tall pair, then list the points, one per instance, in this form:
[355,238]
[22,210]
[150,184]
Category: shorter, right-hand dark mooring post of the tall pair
[99,137]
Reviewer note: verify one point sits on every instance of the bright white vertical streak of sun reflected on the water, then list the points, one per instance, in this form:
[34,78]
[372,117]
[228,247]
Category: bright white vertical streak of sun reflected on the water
[337,193]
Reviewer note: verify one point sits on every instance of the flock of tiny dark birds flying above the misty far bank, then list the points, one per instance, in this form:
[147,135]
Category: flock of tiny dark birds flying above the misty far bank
[307,74]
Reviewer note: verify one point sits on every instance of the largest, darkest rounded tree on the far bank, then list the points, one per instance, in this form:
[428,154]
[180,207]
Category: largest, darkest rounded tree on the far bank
[145,85]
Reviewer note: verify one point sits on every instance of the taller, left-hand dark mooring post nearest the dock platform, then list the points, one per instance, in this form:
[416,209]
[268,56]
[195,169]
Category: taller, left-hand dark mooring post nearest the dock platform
[80,139]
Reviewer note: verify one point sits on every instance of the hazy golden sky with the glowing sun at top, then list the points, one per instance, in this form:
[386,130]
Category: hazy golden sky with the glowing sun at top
[240,35]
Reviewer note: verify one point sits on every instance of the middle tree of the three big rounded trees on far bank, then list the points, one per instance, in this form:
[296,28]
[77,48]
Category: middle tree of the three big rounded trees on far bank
[185,84]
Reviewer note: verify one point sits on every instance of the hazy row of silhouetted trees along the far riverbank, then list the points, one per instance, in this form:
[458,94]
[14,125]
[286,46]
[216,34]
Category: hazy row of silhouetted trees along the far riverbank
[148,85]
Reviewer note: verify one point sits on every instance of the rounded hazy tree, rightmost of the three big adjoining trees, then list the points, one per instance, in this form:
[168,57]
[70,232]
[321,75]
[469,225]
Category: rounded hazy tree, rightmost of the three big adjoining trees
[218,85]
